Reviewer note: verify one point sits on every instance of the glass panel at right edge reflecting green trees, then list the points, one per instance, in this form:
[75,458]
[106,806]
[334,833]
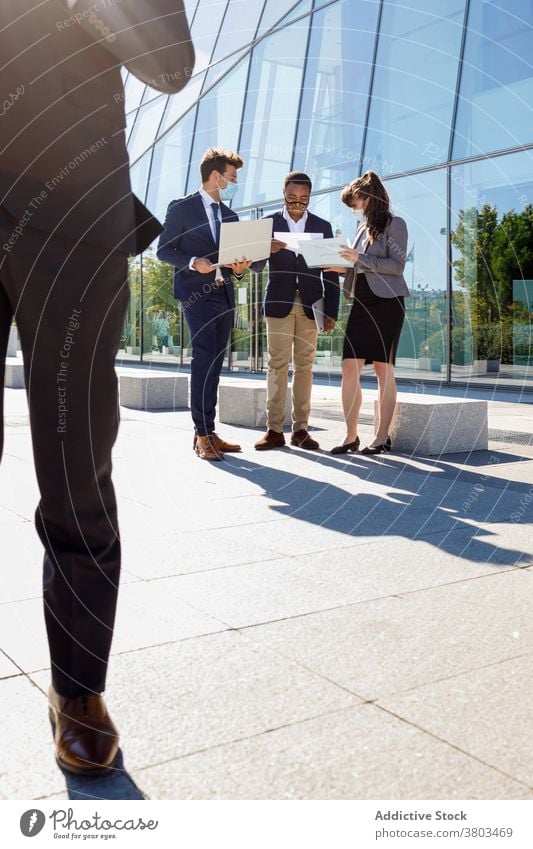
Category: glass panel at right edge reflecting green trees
[492,258]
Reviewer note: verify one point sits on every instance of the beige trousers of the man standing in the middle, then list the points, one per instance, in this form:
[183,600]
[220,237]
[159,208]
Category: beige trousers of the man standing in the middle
[293,337]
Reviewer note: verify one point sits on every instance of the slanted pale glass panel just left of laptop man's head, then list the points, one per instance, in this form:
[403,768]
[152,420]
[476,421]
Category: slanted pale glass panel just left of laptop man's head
[169,167]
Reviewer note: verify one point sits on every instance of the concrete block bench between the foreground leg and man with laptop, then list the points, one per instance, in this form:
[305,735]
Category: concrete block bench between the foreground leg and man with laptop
[154,391]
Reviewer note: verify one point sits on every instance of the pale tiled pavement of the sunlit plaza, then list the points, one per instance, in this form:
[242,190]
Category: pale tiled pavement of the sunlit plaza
[293,625]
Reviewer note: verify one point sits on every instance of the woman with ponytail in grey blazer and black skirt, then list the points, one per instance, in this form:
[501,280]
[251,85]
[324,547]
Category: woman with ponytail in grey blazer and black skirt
[377,286]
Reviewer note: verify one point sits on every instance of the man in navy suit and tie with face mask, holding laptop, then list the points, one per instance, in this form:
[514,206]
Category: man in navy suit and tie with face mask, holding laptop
[190,243]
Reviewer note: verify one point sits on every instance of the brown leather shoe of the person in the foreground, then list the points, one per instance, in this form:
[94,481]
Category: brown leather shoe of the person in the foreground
[85,737]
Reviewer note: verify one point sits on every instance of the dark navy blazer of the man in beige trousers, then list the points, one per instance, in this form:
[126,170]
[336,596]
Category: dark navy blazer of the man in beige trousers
[285,269]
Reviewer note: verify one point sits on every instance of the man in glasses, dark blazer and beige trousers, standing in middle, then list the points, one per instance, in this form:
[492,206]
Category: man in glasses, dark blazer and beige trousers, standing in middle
[292,331]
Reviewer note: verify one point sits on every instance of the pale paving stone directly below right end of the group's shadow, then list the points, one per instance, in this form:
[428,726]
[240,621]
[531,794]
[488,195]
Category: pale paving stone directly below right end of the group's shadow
[277,589]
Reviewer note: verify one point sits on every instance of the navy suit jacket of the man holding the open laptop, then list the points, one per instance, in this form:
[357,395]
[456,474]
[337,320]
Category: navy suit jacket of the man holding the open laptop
[187,233]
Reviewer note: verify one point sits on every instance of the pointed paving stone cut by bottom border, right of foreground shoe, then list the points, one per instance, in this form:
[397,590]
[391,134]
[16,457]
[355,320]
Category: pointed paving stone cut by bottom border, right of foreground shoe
[359,753]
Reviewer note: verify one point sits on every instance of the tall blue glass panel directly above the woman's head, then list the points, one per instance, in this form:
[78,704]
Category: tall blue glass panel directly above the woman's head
[414,85]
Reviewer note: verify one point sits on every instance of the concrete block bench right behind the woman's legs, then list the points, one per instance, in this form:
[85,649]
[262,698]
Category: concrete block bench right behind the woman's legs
[435,425]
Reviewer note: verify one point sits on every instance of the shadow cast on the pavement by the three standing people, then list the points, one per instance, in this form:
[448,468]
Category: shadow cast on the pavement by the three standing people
[420,499]
